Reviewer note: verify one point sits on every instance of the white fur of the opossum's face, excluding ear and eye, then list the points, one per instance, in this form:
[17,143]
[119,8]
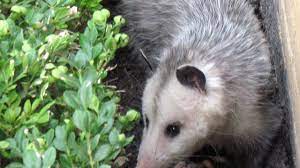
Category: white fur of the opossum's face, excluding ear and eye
[180,103]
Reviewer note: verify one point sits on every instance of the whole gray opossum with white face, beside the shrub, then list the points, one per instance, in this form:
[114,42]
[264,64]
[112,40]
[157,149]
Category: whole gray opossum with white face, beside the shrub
[210,83]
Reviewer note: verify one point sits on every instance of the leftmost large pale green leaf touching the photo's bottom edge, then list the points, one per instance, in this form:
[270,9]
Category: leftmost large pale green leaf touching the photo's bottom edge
[31,159]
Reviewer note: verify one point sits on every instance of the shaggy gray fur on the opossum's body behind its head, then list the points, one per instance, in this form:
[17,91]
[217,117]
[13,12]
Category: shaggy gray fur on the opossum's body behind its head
[223,32]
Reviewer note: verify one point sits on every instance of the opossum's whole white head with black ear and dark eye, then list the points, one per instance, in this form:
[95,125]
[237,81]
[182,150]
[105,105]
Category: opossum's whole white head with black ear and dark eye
[180,110]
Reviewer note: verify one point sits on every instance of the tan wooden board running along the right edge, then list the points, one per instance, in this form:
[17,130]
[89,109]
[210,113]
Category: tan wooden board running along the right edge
[289,31]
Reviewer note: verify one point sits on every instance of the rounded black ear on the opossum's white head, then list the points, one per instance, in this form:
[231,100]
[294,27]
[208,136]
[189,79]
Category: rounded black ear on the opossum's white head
[191,77]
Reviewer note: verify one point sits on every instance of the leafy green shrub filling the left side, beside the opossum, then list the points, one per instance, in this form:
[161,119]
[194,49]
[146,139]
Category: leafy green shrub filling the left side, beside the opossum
[55,109]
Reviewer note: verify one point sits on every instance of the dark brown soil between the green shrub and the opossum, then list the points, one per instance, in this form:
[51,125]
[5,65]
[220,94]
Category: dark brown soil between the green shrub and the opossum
[129,77]
